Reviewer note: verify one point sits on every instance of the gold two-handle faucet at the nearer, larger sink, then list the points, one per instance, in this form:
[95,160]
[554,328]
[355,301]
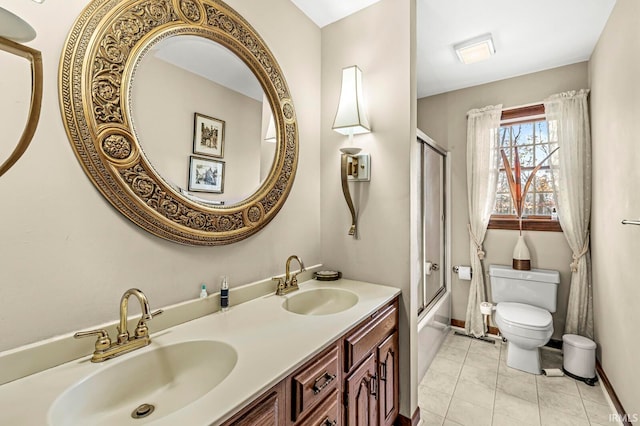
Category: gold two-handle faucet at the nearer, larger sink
[105,349]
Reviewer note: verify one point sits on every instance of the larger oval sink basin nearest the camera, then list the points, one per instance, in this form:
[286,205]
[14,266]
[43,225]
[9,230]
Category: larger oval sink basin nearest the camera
[167,378]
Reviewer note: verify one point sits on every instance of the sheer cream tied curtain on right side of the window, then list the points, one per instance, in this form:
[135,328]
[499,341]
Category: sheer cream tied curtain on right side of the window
[568,117]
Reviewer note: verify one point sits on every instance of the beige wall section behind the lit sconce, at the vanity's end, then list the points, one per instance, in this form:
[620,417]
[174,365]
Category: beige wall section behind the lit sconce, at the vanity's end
[381,254]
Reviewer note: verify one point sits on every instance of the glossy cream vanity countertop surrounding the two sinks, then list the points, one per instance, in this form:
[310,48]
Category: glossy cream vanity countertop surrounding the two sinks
[270,342]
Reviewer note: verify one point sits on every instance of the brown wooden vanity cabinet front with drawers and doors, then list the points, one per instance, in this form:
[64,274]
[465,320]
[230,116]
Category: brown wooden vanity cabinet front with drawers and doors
[353,382]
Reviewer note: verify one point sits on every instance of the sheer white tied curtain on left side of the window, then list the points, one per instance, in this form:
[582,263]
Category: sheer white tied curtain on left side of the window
[482,174]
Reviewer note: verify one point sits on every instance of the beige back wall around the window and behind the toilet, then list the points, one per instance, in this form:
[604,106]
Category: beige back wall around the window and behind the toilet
[443,118]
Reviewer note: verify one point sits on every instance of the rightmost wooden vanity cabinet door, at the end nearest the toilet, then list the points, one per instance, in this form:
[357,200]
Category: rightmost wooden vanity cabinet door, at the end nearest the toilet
[388,363]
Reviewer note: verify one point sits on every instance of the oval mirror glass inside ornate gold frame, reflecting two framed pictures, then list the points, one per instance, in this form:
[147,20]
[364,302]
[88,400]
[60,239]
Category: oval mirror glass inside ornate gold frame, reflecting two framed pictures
[202,117]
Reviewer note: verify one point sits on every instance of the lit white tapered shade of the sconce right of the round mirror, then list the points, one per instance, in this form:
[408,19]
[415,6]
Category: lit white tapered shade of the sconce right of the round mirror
[351,117]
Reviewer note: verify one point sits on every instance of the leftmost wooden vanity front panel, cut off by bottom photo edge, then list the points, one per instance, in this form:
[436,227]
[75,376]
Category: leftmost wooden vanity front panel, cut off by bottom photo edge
[267,411]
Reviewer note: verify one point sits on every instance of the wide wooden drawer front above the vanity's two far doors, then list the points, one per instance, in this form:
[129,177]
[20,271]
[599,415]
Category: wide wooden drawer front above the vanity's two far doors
[360,343]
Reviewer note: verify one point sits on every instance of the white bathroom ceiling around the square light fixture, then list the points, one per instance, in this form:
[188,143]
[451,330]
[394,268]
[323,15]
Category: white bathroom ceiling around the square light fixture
[529,36]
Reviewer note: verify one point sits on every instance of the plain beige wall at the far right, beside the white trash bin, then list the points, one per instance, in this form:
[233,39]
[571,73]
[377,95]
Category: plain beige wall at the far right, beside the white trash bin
[615,107]
